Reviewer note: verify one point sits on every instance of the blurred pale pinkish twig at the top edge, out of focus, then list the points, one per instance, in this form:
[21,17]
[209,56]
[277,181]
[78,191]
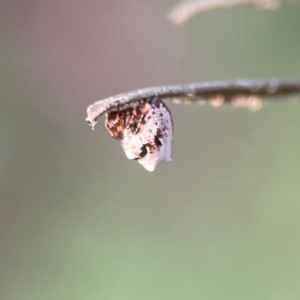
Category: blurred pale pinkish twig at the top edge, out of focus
[184,11]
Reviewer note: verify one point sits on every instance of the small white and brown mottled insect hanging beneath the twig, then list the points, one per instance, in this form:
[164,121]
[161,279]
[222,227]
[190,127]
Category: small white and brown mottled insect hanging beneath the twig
[145,129]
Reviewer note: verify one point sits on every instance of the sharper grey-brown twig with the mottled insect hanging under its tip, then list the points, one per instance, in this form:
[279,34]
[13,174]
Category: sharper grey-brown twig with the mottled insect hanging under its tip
[238,93]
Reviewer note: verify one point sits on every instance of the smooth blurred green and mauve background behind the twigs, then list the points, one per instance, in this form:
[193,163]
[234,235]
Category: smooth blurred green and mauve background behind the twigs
[80,221]
